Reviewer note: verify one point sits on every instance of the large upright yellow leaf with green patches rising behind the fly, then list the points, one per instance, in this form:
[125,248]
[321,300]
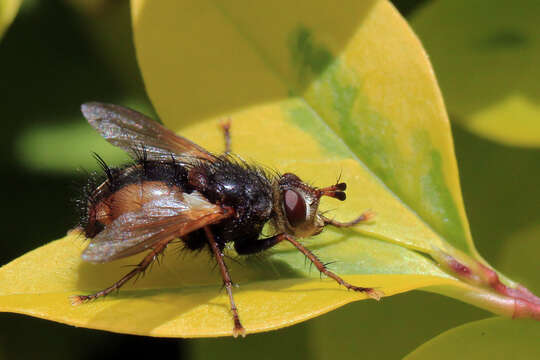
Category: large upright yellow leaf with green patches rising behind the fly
[361,93]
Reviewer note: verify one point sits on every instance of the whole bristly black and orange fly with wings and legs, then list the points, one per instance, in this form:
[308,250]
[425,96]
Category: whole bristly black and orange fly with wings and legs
[178,190]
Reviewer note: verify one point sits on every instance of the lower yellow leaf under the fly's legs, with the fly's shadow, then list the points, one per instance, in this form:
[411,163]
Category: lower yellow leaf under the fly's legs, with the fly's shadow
[179,297]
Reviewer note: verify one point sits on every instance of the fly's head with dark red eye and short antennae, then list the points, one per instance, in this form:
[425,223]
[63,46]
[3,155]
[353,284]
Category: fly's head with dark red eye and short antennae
[297,207]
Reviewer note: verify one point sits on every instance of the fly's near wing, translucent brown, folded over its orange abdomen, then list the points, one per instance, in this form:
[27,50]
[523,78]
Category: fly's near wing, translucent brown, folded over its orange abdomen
[169,217]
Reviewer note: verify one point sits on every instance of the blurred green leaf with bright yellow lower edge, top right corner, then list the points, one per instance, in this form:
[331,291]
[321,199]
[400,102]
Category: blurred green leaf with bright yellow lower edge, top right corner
[486,55]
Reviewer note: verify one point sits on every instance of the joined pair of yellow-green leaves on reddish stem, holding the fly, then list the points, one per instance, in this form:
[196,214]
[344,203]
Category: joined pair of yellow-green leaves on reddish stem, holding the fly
[309,97]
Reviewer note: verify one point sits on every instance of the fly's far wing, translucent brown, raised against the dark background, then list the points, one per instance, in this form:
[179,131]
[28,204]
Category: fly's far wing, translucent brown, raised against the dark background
[133,131]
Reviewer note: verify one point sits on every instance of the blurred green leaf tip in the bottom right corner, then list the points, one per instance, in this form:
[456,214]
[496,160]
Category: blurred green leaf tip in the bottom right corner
[488,339]
